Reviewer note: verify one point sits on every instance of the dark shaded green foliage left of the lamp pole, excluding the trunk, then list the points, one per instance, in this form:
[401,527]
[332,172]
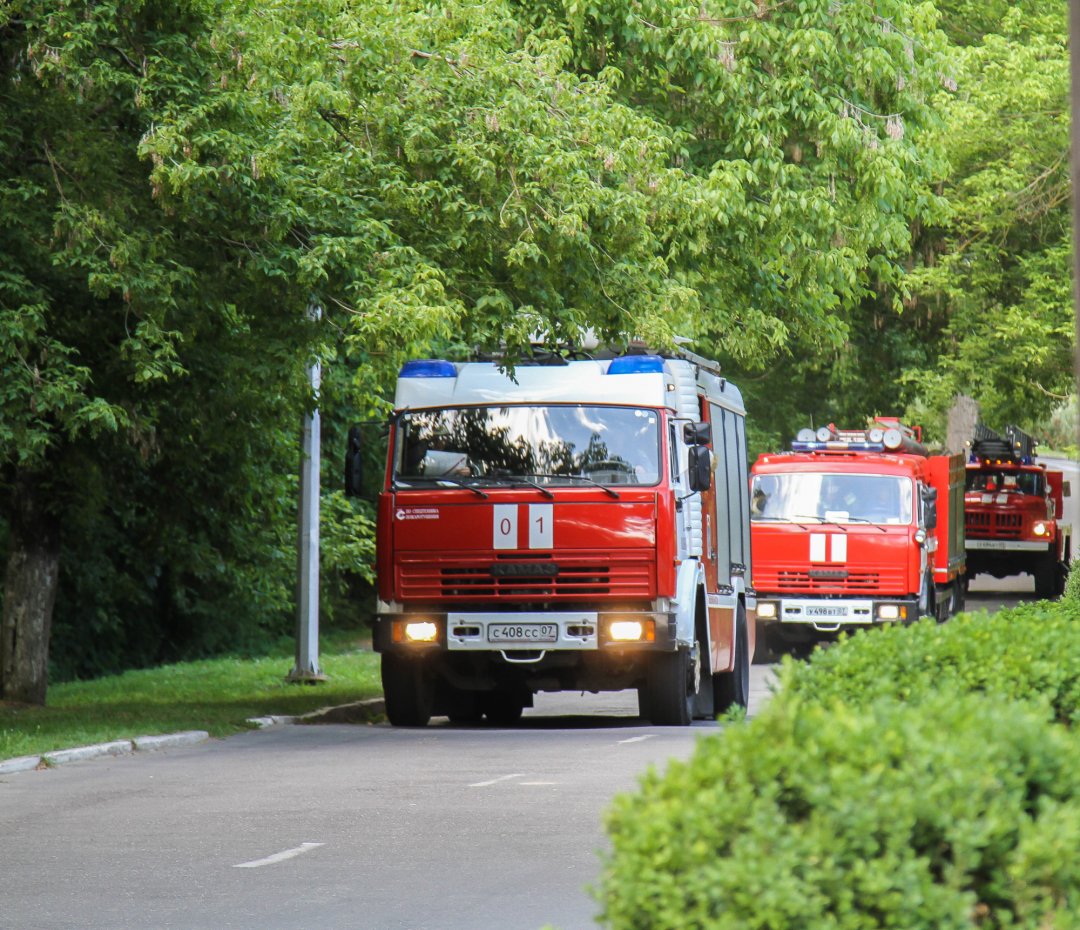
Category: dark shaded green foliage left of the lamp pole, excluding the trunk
[152,378]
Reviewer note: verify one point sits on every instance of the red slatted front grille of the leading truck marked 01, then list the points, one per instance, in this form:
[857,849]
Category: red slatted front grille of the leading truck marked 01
[576,577]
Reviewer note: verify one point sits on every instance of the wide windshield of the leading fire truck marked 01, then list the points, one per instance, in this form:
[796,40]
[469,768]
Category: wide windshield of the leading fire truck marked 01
[551,444]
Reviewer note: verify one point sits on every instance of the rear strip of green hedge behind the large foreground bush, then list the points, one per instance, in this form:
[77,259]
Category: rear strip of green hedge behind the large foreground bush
[1031,653]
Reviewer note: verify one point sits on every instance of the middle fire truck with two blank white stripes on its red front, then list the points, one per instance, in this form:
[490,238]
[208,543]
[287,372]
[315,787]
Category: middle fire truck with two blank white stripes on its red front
[854,529]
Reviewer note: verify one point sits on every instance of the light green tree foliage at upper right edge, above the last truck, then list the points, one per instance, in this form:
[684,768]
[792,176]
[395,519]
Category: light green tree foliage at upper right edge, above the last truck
[997,274]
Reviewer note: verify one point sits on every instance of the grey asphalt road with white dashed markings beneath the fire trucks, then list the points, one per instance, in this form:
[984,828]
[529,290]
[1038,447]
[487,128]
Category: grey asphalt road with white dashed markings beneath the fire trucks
[344,827]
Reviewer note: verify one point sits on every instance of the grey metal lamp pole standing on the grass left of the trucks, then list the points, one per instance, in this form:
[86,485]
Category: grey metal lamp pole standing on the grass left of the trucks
[307,608]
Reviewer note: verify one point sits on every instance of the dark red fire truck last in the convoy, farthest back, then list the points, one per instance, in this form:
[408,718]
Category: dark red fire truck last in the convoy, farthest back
[1014,509]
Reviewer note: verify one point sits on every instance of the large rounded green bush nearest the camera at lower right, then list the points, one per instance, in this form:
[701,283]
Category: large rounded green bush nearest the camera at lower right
[825,817]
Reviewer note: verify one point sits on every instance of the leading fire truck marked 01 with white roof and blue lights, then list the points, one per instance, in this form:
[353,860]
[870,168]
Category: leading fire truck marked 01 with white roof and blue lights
[578,525]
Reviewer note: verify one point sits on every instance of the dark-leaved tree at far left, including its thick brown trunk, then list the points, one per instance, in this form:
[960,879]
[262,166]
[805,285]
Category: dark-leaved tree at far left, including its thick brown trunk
[119,324]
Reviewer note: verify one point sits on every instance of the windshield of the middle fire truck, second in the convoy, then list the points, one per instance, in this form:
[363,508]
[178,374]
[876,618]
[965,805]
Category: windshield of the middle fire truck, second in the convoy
[798,497]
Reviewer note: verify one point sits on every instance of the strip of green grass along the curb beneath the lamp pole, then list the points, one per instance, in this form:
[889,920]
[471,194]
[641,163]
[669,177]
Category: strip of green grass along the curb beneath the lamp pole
[214,695]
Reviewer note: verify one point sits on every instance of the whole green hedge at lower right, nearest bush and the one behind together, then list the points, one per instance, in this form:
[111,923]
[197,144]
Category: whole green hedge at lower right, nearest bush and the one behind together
[924,776]
